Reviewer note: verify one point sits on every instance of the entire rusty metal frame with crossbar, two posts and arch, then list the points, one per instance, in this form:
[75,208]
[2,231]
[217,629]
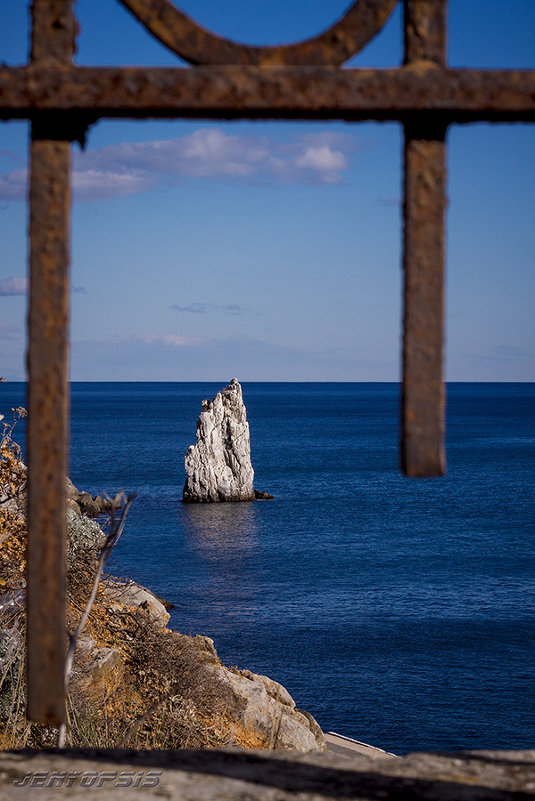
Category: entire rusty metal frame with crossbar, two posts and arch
[230,81]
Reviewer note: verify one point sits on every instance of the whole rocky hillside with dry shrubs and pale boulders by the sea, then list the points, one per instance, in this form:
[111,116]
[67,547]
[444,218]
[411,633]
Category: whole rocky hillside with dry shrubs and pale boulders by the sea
[135,682]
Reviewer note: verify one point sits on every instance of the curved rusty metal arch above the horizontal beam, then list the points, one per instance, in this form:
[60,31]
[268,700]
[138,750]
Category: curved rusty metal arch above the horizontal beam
[195,44]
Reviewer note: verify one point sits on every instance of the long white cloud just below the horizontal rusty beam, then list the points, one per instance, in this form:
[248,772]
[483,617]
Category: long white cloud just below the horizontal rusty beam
[207,154]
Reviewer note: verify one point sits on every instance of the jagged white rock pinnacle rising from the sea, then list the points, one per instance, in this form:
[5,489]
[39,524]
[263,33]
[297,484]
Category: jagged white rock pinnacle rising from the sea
[219,466]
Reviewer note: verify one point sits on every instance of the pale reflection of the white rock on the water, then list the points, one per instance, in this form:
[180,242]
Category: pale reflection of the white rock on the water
[221,531]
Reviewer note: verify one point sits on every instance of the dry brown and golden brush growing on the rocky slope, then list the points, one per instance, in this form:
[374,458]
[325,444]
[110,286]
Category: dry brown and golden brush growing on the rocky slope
[134,683]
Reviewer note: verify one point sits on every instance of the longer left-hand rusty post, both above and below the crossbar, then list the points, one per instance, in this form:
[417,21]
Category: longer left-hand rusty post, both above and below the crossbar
[48,403]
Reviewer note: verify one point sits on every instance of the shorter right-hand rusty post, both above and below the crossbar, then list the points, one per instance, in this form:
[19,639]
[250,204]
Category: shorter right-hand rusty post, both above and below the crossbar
[423,394]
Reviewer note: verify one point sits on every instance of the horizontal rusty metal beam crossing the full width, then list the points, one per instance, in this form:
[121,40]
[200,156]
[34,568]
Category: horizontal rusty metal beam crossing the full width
[451,95]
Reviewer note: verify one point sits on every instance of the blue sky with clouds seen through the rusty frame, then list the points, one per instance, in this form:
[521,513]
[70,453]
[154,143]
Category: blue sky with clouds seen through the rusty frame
[269,250]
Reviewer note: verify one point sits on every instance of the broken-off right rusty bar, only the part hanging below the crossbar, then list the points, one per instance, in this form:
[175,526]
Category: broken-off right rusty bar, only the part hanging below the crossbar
[423,394]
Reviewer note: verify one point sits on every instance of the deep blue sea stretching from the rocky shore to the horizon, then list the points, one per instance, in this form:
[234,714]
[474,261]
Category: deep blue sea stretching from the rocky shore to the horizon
[397,611]
